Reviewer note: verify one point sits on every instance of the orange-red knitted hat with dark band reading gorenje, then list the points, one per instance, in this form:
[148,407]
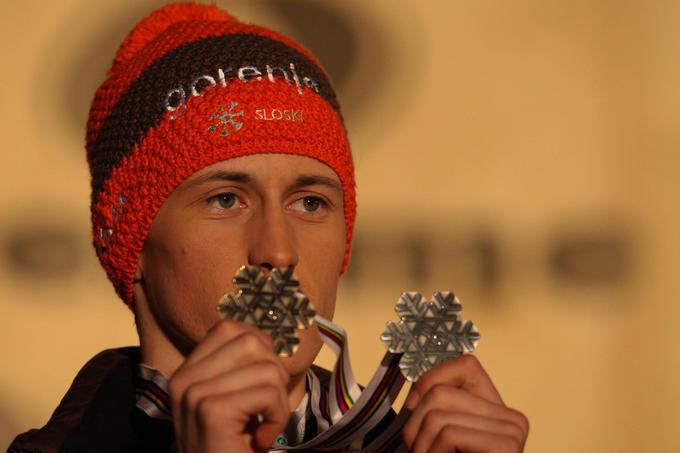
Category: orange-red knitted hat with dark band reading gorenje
[189,87]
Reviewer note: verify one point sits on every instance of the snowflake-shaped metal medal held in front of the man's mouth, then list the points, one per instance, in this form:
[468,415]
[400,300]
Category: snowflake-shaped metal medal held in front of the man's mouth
[271,302]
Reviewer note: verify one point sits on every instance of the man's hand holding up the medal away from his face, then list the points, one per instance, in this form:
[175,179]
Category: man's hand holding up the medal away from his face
[457,408]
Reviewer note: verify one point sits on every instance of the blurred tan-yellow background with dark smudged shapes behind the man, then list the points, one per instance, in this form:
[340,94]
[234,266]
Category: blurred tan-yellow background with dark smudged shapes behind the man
[522,154]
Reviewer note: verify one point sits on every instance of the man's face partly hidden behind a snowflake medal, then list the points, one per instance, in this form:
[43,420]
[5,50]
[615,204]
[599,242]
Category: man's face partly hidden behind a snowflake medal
[271,210]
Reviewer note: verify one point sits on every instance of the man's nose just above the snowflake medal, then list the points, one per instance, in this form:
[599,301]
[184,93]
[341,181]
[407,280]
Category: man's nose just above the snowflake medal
[272,242]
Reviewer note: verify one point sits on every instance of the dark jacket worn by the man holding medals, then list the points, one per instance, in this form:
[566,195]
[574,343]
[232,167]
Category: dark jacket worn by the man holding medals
[99,413]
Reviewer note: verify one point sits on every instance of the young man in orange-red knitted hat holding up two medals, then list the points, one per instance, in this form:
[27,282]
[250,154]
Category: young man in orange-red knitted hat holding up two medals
[214,144]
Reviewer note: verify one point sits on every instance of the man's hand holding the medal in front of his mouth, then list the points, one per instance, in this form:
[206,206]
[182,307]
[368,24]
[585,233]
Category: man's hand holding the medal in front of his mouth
[229,380]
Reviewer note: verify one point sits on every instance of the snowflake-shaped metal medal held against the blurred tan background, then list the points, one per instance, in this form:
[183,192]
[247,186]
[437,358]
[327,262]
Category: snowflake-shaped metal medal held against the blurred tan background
[428,333]
